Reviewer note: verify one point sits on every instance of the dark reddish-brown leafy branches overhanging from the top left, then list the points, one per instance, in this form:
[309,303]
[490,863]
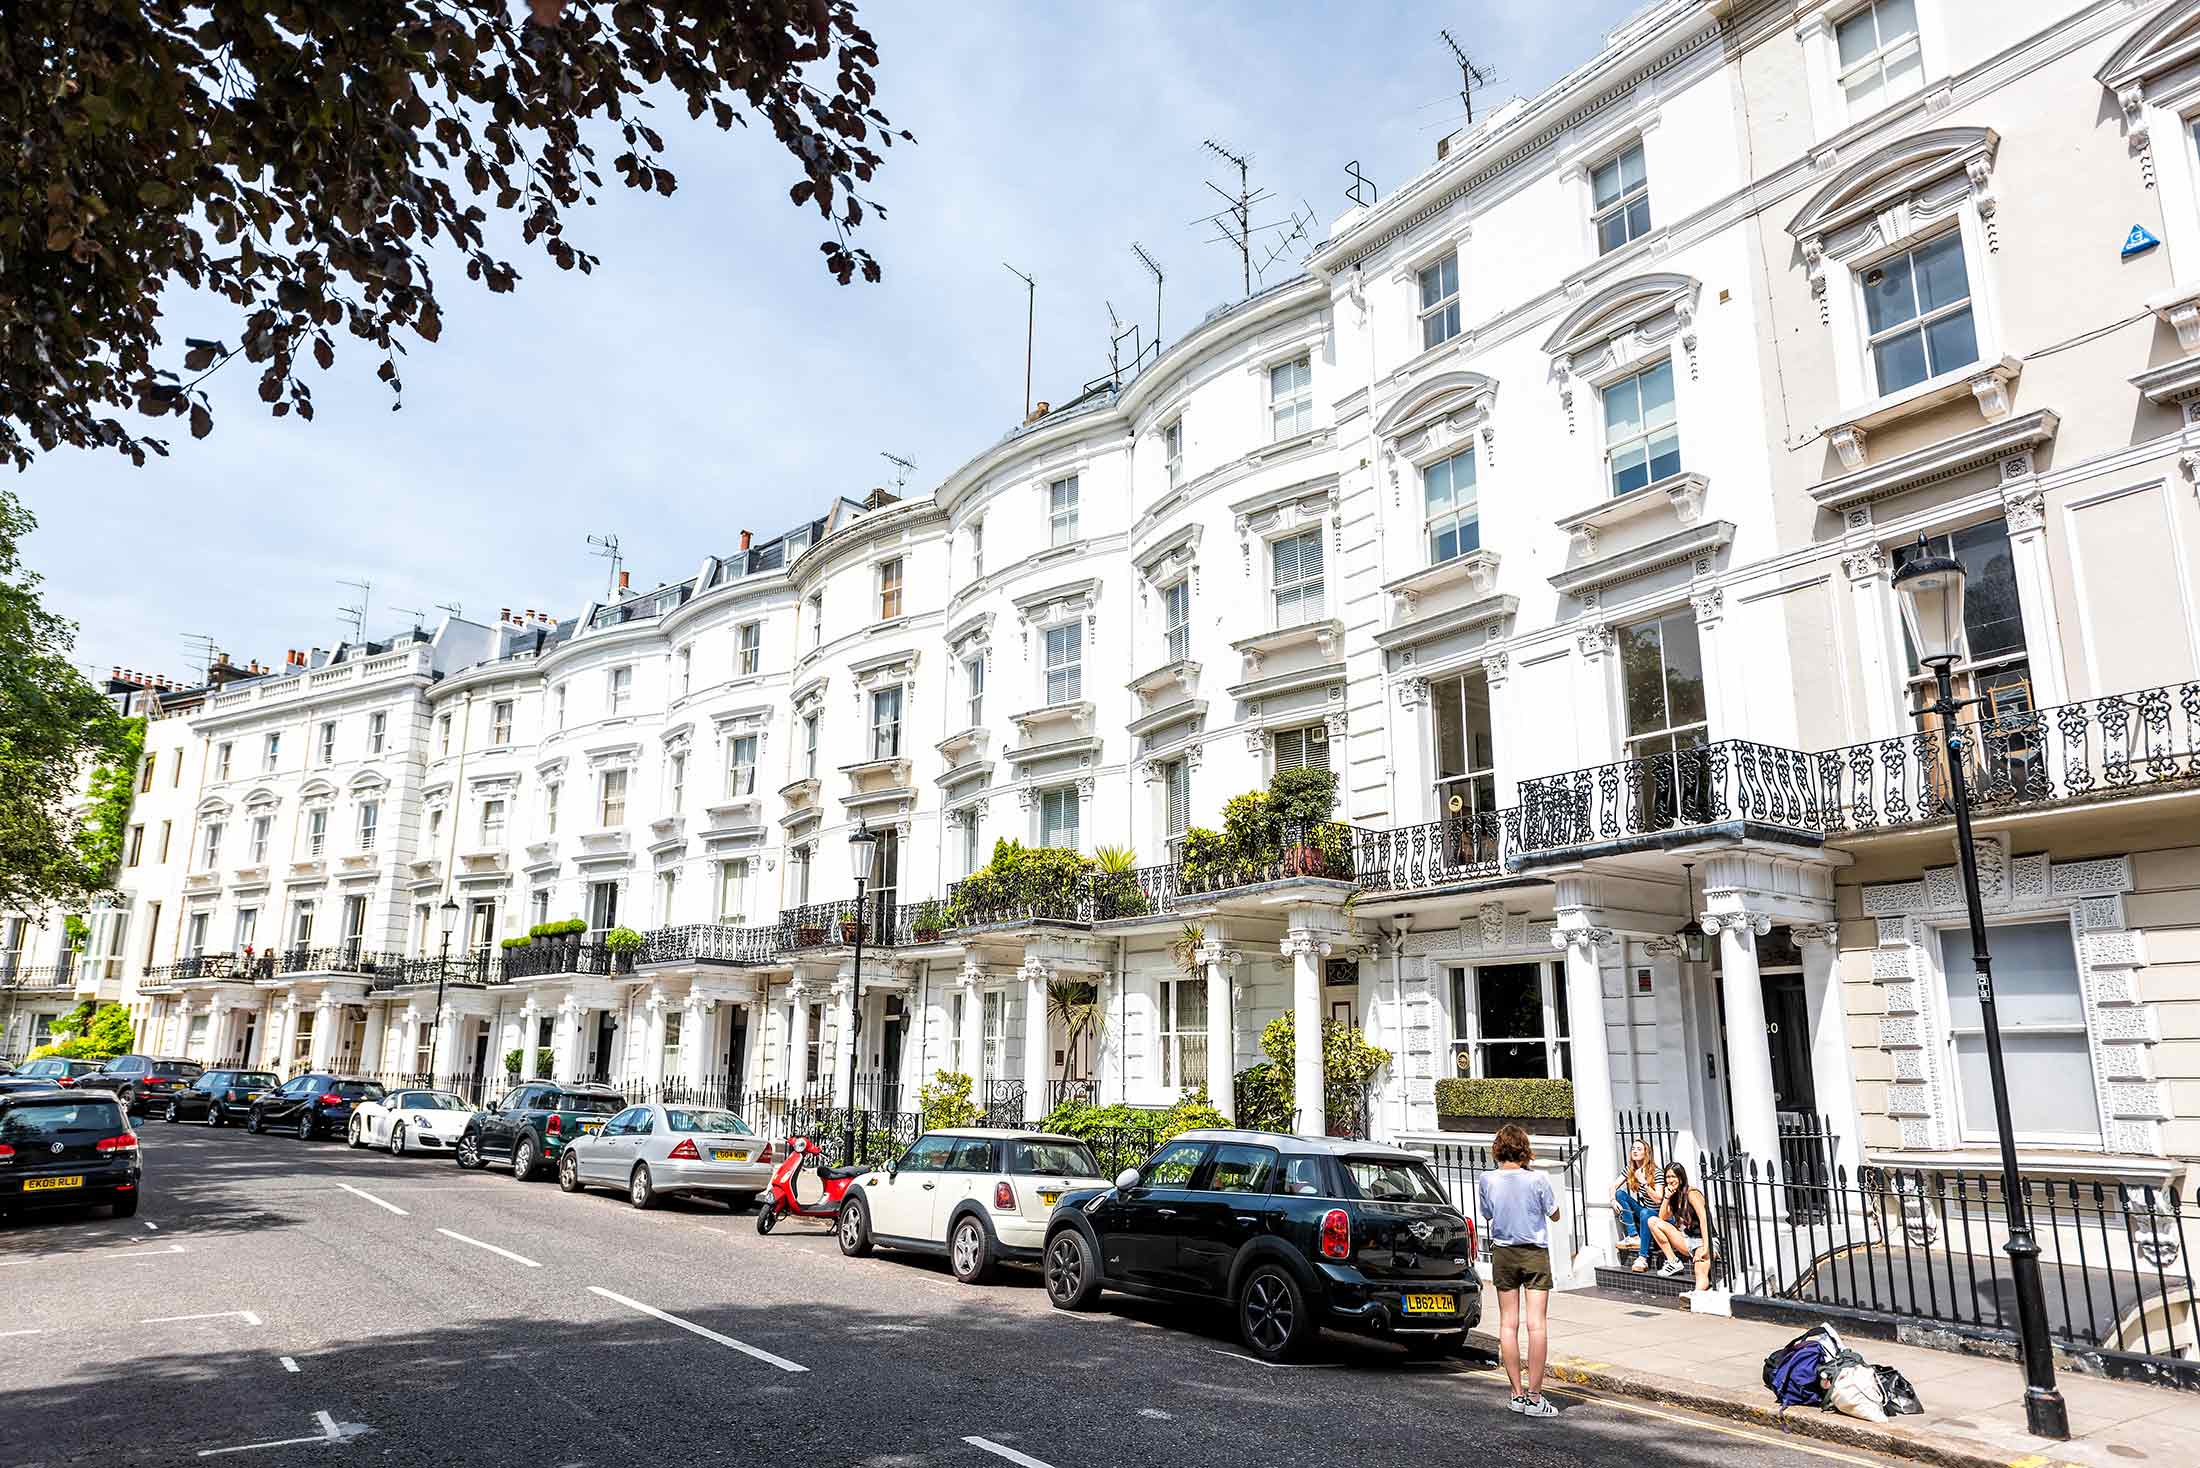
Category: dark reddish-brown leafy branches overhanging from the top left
[307,164]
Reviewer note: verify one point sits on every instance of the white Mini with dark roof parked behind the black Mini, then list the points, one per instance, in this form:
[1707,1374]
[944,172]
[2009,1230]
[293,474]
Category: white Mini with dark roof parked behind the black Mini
[973,1194]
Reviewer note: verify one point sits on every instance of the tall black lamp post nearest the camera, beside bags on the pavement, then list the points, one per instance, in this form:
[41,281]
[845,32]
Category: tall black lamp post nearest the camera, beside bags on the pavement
[1930,591]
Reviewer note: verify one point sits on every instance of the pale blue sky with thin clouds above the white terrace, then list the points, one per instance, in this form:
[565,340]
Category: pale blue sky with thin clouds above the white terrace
[712,377]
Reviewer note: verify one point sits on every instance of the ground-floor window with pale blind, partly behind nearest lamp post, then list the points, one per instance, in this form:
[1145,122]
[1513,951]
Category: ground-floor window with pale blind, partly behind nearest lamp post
[2043,1011]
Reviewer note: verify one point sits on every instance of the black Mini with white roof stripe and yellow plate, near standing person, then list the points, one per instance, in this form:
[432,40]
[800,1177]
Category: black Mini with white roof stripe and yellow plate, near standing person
[1292,1234]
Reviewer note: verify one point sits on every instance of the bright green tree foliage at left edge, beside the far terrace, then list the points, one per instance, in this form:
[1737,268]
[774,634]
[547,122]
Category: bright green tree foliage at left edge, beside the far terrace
[52,727]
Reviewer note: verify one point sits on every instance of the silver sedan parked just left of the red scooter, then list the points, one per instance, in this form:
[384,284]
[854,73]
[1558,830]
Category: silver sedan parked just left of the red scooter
[665,1150]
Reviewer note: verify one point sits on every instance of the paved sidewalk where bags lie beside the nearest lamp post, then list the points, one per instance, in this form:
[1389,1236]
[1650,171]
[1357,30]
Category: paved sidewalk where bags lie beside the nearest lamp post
[1974,1405]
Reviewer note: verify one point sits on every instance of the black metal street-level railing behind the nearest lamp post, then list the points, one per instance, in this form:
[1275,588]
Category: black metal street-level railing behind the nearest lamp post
[1930,1247]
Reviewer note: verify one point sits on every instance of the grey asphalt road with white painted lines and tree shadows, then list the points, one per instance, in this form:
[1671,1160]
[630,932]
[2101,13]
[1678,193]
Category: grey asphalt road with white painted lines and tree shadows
[305,1304]
